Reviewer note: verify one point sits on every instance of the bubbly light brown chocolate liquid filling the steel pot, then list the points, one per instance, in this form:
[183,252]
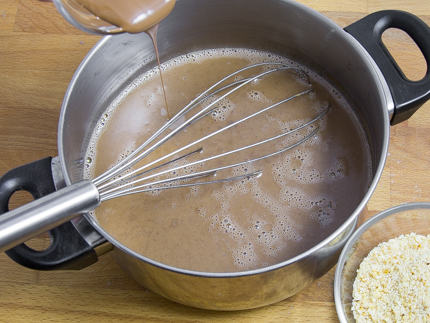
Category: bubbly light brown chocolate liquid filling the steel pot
[303,195]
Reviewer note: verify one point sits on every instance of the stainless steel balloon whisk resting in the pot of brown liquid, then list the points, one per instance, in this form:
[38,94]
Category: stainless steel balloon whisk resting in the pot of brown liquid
[23,223]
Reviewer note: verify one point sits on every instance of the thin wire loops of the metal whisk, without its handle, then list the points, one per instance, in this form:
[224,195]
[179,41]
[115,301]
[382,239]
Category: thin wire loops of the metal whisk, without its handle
[117,182]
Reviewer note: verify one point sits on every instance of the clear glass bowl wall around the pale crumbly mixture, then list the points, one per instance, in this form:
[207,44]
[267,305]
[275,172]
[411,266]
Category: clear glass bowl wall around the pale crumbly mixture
[391,223]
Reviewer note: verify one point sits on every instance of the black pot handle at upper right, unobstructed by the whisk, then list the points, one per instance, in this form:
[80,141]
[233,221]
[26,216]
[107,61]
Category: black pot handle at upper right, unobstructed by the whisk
[408,95]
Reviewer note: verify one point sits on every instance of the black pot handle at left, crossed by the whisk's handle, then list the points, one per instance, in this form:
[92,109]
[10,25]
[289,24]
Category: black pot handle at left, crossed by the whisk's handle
[68,250]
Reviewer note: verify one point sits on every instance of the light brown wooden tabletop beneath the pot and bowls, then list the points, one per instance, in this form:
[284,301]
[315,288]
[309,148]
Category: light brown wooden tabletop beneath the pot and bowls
[39,53]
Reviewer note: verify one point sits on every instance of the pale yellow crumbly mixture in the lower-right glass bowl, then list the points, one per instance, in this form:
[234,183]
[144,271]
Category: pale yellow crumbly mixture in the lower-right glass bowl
[393,282]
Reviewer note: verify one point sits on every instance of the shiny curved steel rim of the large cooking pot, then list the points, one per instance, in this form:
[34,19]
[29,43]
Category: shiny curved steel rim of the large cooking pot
[386,101]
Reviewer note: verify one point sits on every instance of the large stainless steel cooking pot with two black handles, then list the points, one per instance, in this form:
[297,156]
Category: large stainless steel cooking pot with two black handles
[373,83]
